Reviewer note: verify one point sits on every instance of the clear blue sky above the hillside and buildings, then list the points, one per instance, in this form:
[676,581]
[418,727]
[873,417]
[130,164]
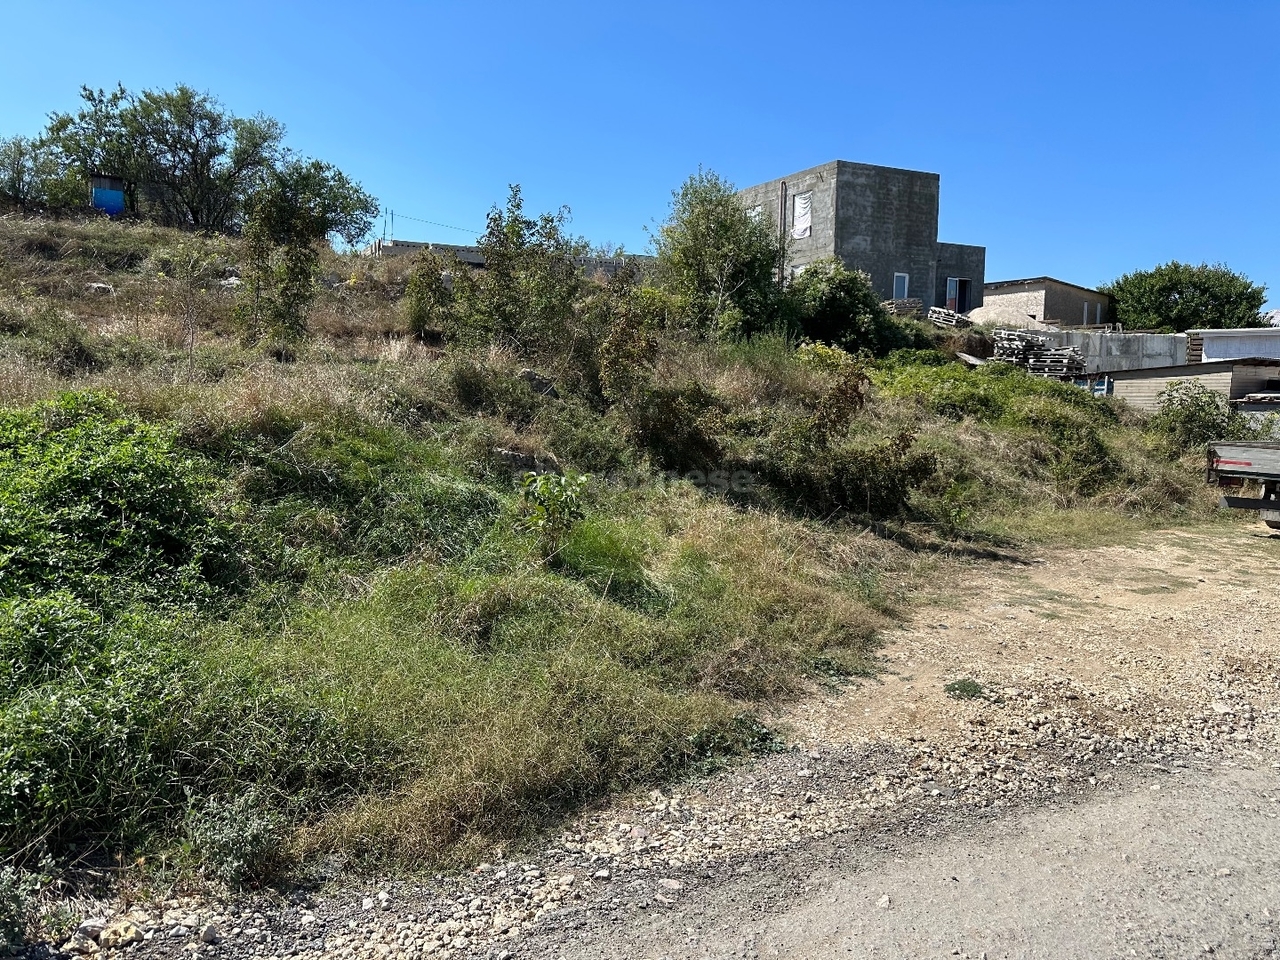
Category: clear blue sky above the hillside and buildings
[1078,140]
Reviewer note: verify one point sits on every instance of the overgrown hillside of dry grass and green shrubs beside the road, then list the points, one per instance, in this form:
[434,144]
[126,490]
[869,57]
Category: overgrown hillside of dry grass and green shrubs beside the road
[262,602]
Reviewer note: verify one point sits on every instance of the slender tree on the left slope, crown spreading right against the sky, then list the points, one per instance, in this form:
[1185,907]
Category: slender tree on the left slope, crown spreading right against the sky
[299,207]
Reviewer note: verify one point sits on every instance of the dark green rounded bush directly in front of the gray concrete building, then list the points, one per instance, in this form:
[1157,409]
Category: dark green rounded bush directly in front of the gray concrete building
[833,304]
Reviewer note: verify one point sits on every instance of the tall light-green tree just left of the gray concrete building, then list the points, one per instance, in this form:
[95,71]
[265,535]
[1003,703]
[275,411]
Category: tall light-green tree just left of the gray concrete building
[724,263]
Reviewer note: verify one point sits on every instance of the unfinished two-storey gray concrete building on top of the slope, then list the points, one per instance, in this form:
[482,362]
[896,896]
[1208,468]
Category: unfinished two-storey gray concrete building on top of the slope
[879,220]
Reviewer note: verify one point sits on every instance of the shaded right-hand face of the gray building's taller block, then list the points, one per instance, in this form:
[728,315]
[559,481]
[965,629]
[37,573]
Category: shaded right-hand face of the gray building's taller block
[886,223]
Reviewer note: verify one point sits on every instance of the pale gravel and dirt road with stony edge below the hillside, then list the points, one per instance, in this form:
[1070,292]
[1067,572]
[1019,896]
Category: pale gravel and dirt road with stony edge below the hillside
[1112,790]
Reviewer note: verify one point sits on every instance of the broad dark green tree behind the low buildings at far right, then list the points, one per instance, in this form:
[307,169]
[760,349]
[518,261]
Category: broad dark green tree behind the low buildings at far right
[1183,298]
